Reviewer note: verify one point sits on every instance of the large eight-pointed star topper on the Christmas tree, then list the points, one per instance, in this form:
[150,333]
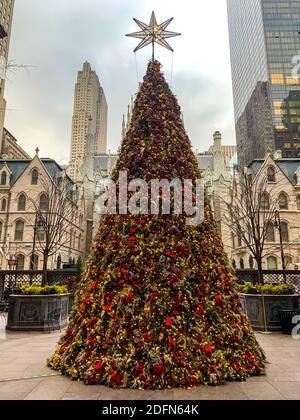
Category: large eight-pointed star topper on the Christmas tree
[153,33]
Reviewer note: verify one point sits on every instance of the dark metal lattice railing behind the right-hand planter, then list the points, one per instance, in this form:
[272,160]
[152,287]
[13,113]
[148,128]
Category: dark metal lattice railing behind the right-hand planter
[291,277]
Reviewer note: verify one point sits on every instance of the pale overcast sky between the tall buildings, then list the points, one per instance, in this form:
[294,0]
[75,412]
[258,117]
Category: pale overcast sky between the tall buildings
[55,38]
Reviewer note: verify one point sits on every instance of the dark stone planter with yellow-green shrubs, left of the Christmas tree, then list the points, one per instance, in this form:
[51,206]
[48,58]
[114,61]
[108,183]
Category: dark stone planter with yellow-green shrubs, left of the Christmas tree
[37,308]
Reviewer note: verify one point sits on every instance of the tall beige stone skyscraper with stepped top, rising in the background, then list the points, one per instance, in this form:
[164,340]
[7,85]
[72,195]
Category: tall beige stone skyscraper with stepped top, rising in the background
[89,119]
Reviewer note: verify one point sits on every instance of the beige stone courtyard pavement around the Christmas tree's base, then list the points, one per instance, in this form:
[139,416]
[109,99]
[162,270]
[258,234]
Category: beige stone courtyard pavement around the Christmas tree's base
[24,375]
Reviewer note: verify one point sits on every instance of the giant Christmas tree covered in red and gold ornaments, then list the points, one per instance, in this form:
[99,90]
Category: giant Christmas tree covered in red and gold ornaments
[158,305]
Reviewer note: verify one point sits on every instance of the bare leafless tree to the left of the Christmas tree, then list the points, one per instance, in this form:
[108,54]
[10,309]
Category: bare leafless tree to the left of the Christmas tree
[54,214]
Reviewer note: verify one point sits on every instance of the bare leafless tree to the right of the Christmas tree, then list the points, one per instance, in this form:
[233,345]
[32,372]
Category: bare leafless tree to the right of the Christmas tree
[250,213]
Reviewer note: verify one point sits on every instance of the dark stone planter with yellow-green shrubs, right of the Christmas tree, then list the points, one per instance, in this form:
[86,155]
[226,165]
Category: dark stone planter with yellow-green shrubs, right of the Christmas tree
[263,303]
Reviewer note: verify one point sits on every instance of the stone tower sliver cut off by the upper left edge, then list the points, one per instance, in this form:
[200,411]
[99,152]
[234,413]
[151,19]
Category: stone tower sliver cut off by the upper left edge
[6,15]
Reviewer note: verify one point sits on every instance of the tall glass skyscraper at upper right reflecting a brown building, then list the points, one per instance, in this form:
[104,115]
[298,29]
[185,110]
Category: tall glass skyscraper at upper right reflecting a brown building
[265,53]
